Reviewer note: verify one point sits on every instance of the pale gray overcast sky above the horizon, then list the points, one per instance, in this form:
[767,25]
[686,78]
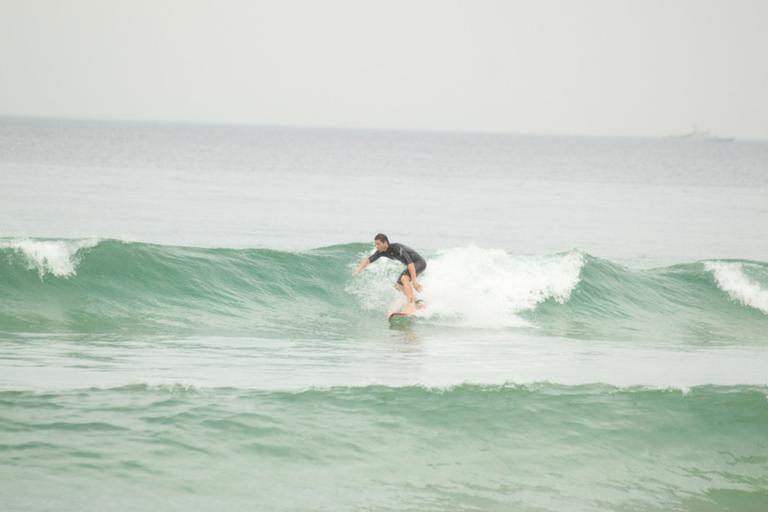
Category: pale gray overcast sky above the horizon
[578,67]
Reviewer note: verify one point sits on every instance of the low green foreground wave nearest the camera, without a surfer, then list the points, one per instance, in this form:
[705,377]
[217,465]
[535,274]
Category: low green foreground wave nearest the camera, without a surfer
[542,447]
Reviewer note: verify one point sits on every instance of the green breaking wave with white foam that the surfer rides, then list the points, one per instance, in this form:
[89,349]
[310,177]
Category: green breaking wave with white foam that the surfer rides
[111,286]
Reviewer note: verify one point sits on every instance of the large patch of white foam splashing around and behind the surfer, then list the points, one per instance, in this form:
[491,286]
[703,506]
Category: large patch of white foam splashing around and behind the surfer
[477,287]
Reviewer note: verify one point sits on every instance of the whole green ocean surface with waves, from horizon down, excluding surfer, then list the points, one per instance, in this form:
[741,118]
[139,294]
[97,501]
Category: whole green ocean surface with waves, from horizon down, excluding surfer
[180,330]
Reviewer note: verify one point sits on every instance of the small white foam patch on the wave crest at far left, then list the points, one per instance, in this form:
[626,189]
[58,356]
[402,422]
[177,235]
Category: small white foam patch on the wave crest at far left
[55,257]
